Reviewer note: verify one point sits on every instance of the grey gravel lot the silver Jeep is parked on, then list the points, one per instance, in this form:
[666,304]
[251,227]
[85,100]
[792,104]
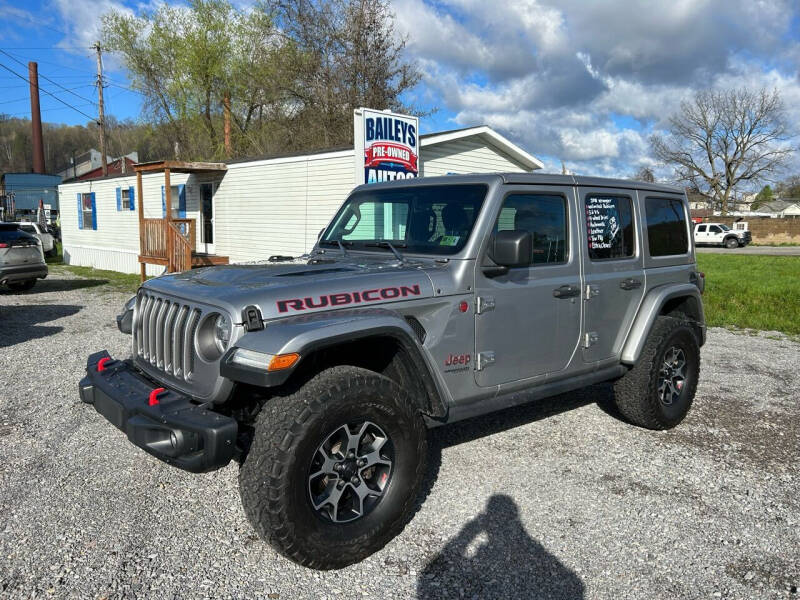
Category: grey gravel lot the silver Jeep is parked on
[553,500]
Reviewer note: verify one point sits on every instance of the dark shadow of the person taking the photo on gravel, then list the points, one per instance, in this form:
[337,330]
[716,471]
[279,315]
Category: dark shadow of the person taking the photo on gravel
[494,557]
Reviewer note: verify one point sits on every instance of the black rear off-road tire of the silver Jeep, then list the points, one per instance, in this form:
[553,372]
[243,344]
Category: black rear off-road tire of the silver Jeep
[636,393]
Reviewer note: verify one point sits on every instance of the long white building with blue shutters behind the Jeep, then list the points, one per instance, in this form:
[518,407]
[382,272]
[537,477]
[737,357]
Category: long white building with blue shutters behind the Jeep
[250,209]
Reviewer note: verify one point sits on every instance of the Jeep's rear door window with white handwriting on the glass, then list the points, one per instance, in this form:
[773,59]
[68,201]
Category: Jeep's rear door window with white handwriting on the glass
[609,227]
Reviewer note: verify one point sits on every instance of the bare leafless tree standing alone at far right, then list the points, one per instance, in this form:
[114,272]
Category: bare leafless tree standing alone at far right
[721,139]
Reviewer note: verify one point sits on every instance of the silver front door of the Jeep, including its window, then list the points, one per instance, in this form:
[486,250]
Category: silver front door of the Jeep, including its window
[528,322]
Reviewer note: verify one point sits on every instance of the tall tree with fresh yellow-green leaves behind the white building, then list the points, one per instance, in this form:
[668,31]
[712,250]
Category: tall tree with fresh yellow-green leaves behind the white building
[184,59]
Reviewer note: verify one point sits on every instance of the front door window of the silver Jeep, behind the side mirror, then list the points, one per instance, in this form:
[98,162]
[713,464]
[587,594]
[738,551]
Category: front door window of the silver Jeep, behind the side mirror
[545,217]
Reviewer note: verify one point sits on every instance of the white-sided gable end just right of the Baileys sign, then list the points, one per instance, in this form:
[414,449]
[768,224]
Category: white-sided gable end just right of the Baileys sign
[466,156]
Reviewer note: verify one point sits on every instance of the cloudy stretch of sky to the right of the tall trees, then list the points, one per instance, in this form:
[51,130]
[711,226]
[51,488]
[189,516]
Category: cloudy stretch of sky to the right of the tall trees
[588,82]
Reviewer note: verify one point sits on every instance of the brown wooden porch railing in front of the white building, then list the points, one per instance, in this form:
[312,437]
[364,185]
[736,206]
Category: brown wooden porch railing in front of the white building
[168,242]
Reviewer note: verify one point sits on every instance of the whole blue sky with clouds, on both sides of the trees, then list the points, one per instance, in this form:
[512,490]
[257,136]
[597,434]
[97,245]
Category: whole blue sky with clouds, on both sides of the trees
[583,82]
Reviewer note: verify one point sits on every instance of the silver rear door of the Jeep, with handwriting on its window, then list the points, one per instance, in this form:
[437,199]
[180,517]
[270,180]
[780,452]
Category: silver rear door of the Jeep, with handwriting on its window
[613,268]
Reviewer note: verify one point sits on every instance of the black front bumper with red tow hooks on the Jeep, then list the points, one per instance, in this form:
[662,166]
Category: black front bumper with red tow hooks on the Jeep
[175,430]
